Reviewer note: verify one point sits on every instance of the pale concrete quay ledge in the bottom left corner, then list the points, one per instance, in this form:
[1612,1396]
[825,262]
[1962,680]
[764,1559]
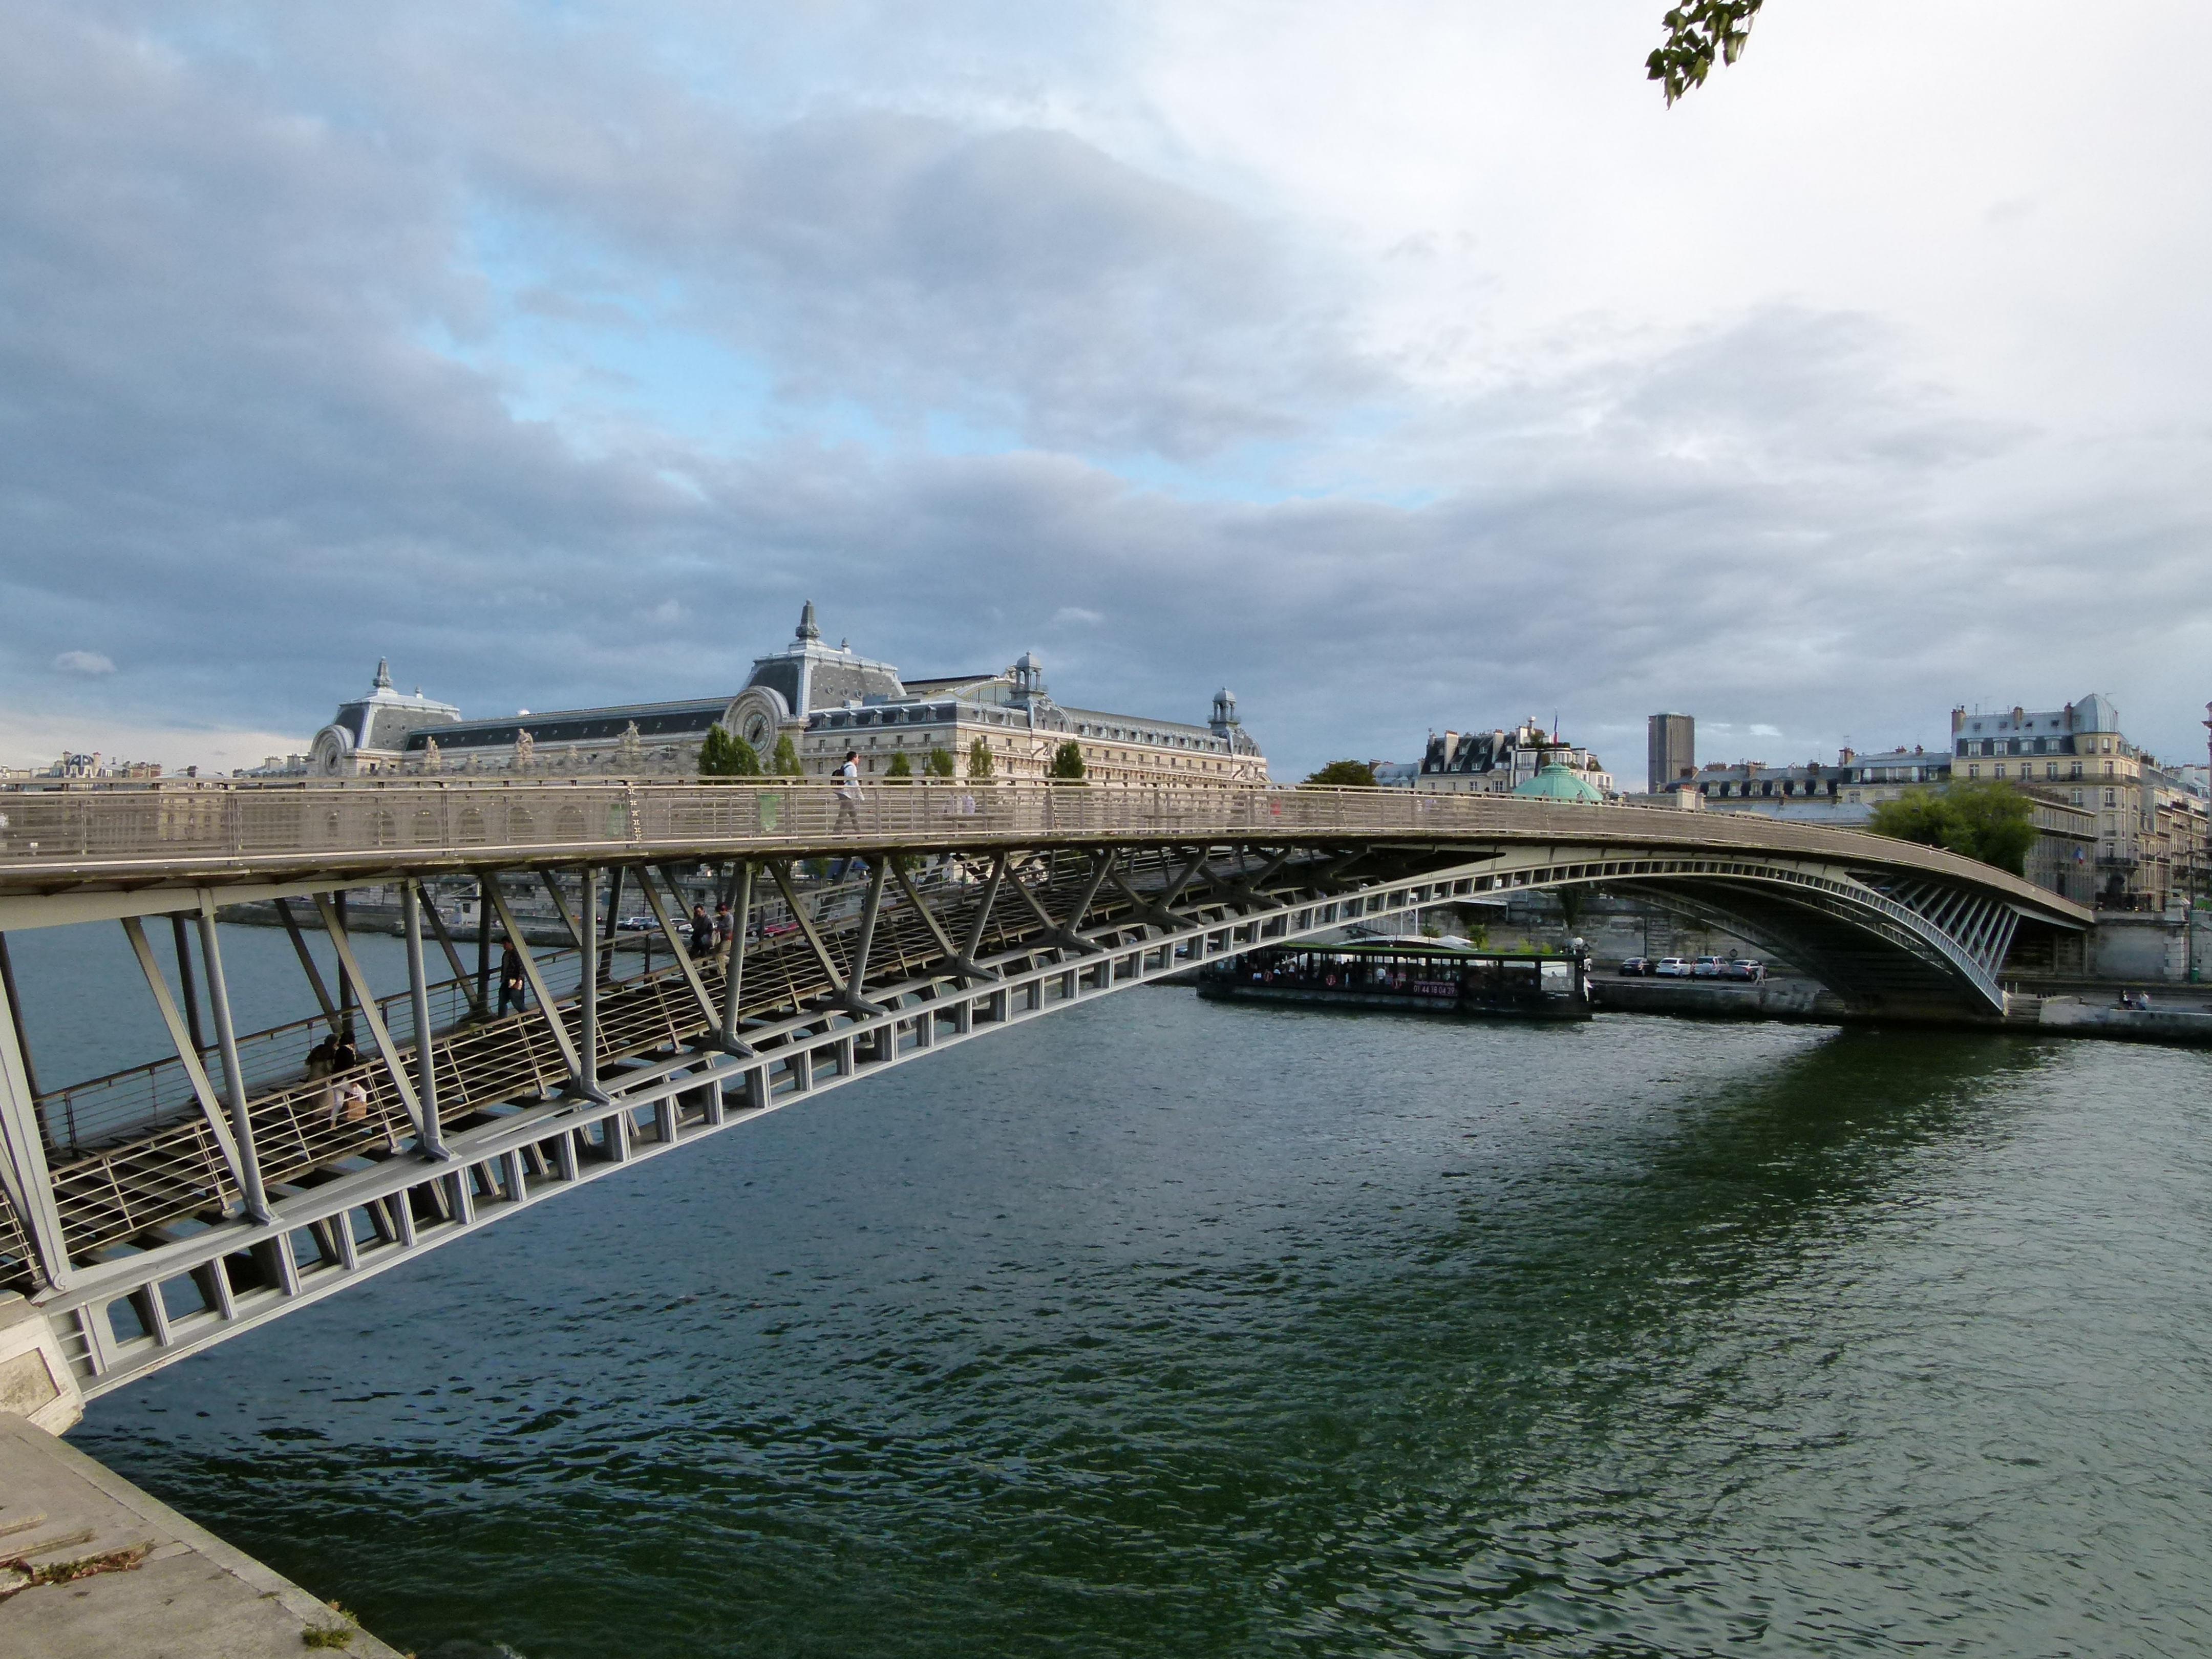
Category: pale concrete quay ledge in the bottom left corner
[134,1578]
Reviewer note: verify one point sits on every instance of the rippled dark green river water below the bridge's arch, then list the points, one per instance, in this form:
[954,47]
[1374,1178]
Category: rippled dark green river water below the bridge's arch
[1169,1328]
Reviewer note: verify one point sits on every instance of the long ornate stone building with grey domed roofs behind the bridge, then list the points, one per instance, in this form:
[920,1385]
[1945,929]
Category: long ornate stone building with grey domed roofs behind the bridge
[824,698]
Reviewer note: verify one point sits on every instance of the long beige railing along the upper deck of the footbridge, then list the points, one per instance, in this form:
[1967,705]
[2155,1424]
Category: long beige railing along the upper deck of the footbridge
[490,822]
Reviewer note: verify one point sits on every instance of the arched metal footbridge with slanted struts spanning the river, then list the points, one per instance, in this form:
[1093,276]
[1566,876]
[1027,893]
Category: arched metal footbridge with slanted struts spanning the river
[171,1207]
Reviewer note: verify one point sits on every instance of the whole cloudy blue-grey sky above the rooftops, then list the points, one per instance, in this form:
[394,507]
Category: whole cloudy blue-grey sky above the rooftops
[1399,364]
